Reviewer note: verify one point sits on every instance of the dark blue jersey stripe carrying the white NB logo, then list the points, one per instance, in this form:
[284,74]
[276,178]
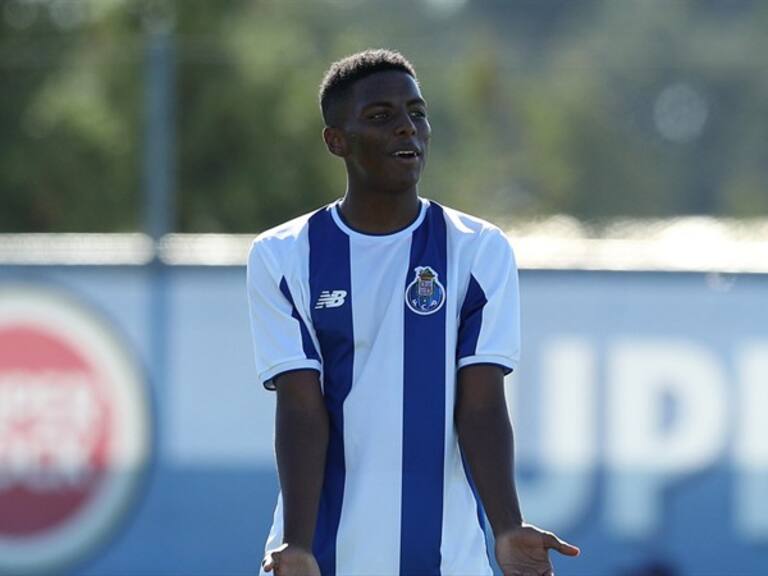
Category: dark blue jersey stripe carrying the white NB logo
[329,269]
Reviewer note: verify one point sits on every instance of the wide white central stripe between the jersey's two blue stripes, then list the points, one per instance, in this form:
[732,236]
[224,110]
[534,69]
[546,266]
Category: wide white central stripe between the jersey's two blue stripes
[368,540]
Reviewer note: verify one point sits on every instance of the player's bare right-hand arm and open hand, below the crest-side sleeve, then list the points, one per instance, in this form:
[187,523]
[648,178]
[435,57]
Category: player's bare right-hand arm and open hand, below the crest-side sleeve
[486,439]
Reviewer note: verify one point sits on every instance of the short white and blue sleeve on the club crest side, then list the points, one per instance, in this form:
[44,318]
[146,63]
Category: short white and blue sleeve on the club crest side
[489,318]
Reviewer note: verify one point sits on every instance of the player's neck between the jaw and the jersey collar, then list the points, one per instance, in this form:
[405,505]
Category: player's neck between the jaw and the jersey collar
[380,213]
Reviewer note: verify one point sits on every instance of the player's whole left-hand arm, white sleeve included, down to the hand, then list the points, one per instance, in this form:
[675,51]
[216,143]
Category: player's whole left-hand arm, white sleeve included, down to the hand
[288,361]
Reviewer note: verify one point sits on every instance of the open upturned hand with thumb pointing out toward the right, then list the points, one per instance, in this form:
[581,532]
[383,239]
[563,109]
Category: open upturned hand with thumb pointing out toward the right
[523,551]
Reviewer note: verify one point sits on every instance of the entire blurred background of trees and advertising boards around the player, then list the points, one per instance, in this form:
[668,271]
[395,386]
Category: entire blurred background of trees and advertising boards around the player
[622,144]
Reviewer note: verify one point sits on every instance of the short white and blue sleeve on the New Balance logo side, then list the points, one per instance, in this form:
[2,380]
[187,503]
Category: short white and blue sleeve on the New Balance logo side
[282,340]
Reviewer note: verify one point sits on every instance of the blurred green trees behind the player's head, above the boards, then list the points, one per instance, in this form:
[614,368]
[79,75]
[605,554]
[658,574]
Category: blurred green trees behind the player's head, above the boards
[598,109]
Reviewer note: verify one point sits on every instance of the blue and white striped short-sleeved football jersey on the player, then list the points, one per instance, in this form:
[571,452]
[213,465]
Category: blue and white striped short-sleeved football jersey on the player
[387,321]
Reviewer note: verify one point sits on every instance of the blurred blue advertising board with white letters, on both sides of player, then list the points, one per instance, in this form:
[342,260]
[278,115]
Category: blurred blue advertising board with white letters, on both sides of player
[640,412]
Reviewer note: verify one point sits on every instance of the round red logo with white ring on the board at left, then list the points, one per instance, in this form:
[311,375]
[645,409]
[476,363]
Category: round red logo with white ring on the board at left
[73,429]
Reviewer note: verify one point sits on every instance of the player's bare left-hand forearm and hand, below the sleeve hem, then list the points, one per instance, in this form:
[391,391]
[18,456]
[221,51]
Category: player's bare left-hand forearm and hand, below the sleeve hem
[301,441]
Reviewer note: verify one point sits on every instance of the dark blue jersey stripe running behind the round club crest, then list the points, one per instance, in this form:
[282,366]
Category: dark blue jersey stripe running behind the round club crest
[424,409]
